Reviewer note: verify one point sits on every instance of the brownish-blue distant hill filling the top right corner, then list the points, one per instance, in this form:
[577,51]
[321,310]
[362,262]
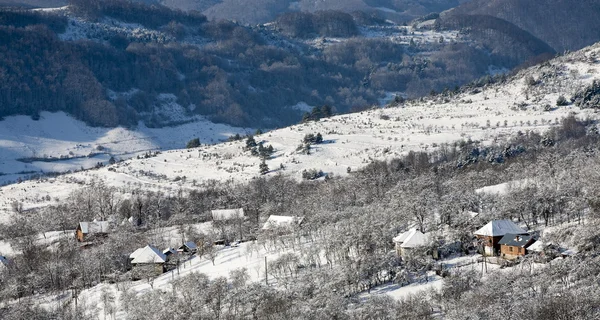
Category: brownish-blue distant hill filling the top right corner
[563,24]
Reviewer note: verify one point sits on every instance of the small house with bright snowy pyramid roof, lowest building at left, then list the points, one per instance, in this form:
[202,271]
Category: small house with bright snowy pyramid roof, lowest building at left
[147,262]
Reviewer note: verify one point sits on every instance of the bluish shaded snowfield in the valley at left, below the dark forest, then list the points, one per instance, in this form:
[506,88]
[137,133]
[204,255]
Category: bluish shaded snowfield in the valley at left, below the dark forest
[59,143]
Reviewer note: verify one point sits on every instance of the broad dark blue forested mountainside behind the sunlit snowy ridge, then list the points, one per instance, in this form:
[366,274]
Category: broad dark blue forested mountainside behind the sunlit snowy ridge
[110,62]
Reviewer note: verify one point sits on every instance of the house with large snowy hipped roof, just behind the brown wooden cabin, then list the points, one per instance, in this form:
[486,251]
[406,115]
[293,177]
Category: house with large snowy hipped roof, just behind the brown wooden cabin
[490,235]
